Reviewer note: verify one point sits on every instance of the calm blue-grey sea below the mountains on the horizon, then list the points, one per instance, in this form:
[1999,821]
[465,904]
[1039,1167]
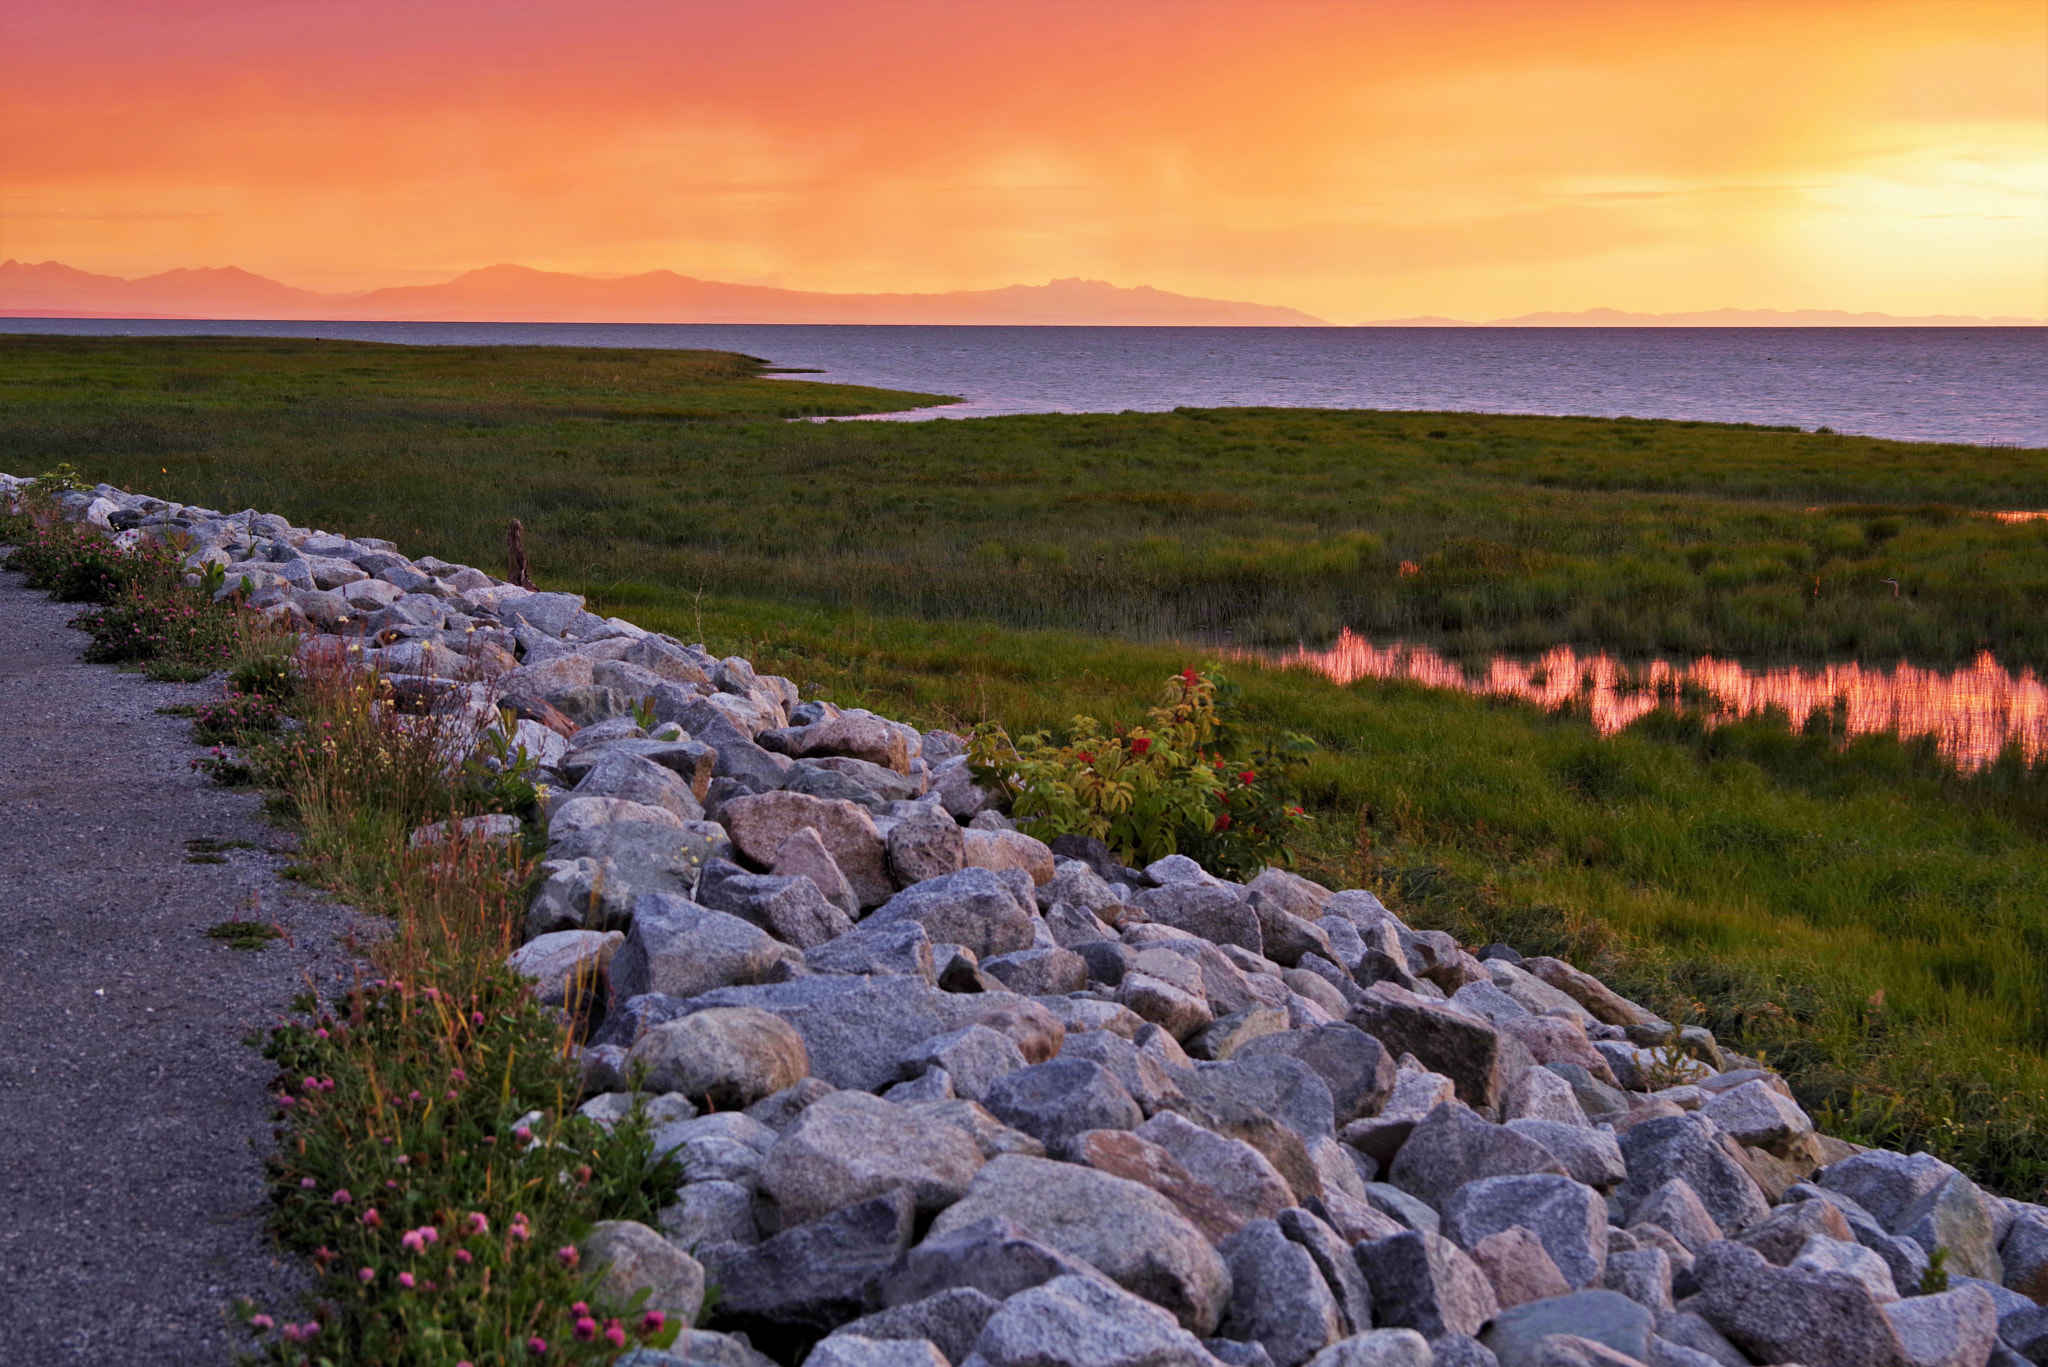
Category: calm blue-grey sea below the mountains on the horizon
[1922,384]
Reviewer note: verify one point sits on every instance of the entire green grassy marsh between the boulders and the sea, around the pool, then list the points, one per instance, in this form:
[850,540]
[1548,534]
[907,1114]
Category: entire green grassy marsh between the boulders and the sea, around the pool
[1871,919]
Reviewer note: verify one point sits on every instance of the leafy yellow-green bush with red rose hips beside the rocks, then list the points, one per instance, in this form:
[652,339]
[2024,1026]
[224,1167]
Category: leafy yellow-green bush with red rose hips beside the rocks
[1185,782]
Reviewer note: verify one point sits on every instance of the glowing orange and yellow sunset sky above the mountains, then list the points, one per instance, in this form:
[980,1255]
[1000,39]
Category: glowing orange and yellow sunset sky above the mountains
[1351,159]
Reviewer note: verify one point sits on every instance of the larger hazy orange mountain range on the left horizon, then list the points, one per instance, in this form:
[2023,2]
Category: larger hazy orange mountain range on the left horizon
[517,294]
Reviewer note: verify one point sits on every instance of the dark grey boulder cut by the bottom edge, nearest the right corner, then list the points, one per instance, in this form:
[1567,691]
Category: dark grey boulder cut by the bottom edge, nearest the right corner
[1785,1317]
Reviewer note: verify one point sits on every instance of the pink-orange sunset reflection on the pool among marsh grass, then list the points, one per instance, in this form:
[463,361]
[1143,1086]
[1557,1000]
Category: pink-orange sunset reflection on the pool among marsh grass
[1973,712]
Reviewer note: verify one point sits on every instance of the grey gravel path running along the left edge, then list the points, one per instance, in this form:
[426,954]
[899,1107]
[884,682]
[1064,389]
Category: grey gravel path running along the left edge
[130,1110]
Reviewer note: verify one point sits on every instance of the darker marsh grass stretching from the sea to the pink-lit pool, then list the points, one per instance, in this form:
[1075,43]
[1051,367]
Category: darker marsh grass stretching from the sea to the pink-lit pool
[1246,526]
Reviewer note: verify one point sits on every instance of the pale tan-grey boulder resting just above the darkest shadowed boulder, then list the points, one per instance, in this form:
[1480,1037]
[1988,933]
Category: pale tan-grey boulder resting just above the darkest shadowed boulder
[851,1147]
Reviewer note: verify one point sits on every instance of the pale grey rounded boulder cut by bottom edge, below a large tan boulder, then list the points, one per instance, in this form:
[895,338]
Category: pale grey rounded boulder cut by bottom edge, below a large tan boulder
[1082,1323]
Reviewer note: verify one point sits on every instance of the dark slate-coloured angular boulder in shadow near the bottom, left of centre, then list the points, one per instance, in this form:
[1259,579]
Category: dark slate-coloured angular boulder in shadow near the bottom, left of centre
[804,1282]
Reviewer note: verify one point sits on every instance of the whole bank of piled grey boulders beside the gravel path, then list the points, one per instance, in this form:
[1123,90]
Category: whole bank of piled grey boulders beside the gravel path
[953,1095]
